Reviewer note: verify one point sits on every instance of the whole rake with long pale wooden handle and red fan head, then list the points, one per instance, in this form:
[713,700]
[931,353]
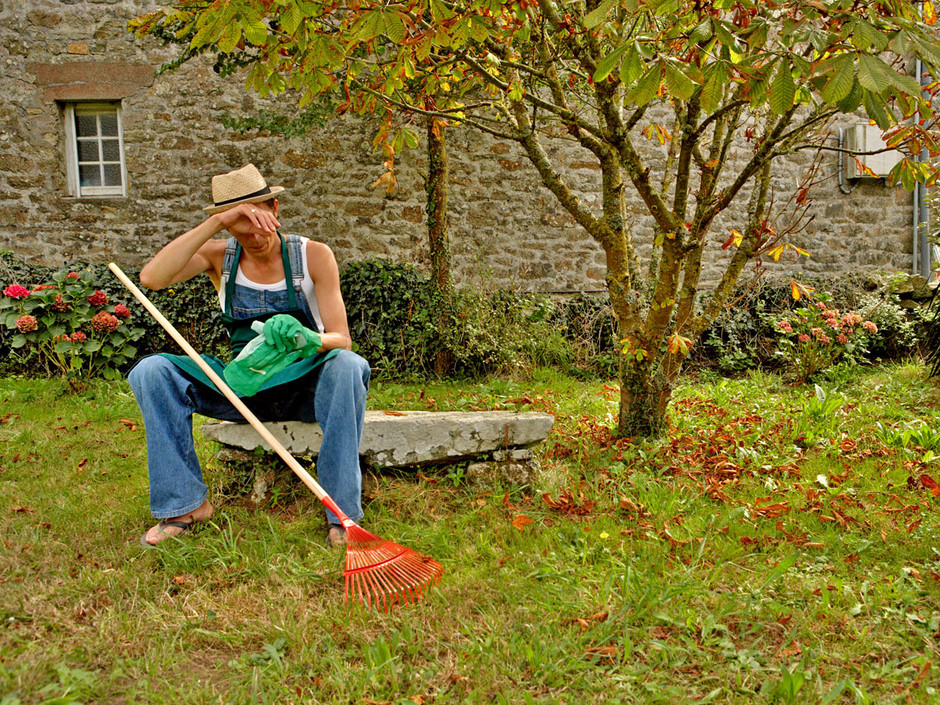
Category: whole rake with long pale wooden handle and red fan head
[378,571]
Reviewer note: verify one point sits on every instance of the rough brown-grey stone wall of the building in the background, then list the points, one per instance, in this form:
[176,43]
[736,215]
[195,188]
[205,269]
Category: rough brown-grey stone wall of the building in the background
[507,230]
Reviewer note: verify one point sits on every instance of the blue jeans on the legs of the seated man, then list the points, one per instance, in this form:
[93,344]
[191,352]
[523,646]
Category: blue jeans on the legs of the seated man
[334,395]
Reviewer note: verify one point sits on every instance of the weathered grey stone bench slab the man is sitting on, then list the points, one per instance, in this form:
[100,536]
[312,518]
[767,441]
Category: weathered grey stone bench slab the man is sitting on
[404,438]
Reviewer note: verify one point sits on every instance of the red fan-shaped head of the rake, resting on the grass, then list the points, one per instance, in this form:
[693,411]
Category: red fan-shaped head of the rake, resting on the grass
[380,571]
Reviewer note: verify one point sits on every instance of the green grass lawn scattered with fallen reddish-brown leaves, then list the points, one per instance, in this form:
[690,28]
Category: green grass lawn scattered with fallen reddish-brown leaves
[776,546]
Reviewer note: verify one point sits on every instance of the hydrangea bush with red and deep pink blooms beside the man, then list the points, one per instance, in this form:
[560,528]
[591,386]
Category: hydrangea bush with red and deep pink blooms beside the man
[70,326]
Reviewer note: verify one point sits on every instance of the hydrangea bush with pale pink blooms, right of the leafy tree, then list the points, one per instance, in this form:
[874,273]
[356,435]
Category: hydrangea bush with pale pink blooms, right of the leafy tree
[816,336]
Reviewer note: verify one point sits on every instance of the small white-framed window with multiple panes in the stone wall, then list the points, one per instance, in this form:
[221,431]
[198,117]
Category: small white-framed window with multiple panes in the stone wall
[95,149]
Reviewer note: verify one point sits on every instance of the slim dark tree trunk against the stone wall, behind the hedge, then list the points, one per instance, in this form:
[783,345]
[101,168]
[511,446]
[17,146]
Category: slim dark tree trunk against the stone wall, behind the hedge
[438,242]
